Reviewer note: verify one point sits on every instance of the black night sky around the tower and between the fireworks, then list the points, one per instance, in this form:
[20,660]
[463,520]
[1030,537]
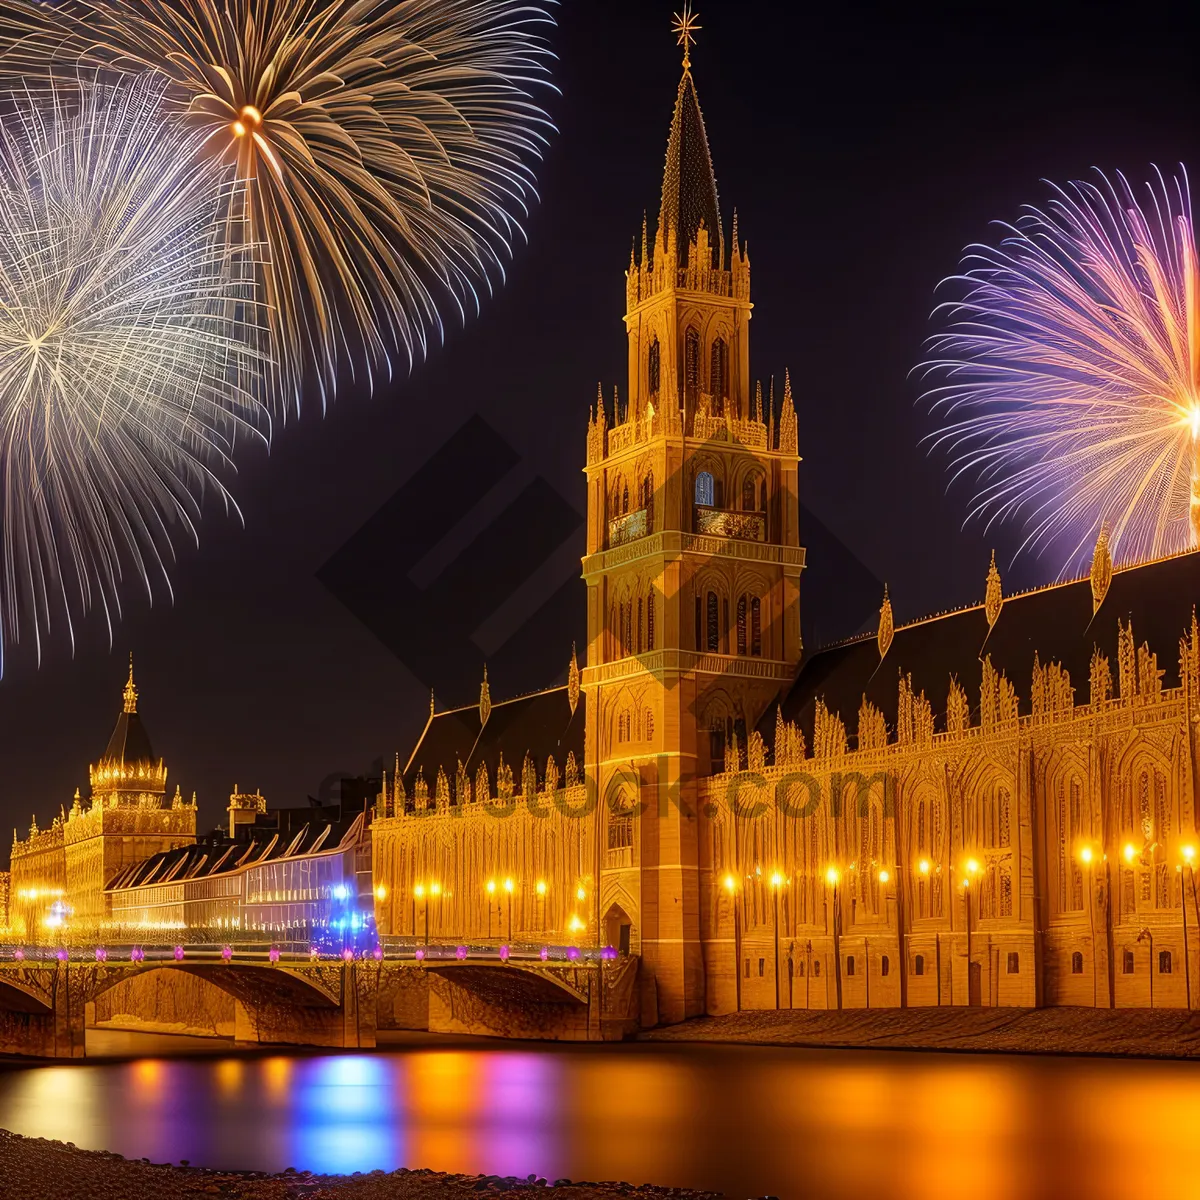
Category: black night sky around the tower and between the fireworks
[863,149]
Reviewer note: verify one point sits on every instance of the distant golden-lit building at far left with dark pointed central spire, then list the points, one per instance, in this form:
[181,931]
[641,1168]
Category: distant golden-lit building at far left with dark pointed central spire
[61,873]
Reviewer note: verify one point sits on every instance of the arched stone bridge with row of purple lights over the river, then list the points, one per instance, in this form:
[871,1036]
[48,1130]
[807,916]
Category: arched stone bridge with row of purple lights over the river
[292,994]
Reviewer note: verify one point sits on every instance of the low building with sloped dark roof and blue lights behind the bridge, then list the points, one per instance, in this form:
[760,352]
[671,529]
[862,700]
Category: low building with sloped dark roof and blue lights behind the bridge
[290,874]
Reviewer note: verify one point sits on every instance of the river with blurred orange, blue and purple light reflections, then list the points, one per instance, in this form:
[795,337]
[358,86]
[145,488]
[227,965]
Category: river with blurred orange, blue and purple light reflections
[748,1121]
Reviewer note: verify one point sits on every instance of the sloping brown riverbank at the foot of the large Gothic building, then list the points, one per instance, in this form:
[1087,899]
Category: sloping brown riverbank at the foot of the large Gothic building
[1153,1034]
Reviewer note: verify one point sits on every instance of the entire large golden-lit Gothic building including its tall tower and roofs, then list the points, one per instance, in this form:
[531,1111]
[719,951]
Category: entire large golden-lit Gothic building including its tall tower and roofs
[991,807]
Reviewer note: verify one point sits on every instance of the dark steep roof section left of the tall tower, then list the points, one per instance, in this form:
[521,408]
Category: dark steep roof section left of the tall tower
[541,725]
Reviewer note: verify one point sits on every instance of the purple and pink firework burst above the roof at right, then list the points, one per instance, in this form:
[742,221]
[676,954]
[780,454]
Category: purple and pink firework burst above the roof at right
[1066,377]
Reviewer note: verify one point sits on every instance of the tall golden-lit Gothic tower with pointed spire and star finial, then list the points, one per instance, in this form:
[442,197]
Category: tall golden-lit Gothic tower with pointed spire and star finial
[693,566]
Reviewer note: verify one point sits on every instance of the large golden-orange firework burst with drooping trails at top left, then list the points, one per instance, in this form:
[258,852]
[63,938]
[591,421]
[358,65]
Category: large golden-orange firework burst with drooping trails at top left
[387,148]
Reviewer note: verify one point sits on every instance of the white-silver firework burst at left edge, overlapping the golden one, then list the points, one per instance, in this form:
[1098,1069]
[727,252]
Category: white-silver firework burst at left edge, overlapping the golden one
[127,364]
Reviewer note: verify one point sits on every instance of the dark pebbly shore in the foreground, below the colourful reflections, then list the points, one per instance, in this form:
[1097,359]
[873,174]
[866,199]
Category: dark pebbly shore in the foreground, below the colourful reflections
[37,1169]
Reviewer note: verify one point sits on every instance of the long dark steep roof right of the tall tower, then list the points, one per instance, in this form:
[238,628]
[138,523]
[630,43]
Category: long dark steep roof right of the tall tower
[1057,623]
